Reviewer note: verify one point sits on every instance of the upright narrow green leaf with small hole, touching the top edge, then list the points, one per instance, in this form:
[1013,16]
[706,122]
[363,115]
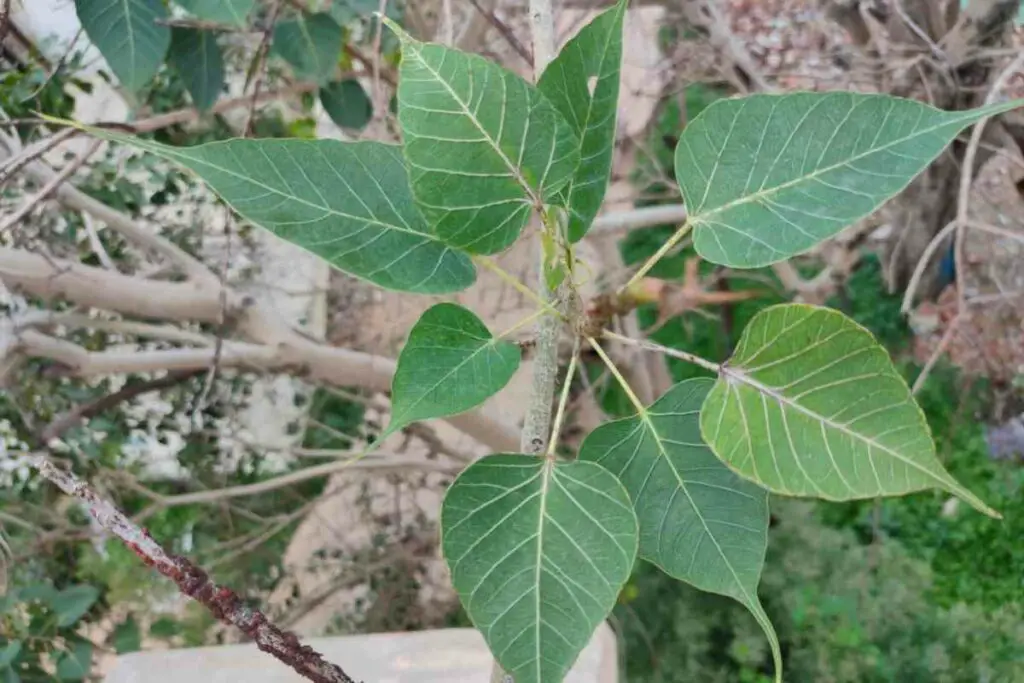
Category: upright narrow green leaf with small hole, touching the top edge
[583,84]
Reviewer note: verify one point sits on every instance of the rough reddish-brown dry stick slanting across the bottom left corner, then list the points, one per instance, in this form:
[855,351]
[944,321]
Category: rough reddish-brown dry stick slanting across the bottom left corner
[223,603]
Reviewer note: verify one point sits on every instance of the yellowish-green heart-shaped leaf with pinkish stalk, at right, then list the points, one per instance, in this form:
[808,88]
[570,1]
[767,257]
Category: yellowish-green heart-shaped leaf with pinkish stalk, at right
[810,405]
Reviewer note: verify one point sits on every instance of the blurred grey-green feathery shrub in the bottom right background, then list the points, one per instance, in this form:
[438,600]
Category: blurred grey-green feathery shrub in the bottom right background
[846,613]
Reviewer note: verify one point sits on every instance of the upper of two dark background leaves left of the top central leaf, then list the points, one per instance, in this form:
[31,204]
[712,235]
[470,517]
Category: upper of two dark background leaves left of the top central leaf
[312,45]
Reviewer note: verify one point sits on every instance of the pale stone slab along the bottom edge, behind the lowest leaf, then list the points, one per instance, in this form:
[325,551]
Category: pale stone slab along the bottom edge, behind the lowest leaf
[451,656]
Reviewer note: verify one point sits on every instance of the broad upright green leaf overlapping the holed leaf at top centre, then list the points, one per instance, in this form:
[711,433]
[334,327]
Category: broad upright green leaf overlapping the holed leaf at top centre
[485,148]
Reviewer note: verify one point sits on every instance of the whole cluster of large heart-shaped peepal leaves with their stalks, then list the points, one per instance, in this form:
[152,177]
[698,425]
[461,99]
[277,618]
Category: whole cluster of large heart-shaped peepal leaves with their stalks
[810,405]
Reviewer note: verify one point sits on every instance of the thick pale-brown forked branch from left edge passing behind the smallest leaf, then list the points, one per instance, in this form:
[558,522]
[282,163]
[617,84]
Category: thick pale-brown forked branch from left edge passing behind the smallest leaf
[278,348]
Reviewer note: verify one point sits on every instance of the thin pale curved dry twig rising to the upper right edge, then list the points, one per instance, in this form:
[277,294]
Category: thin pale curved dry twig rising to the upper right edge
[962,222]
